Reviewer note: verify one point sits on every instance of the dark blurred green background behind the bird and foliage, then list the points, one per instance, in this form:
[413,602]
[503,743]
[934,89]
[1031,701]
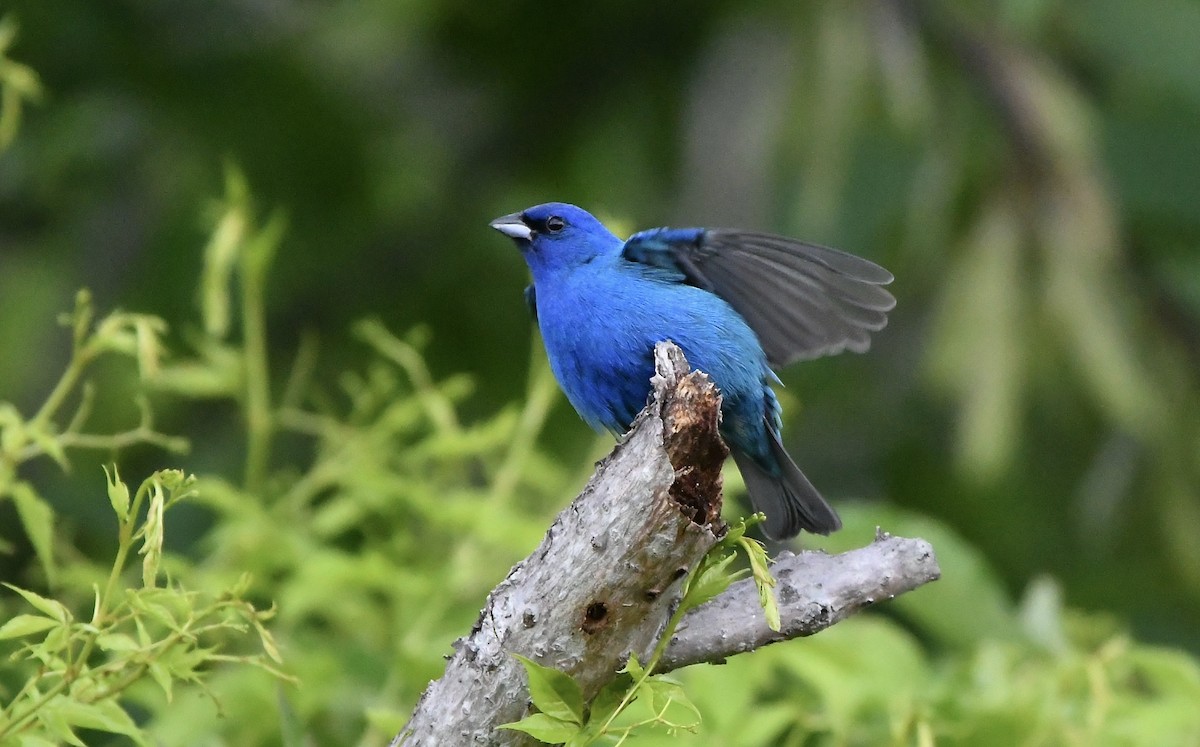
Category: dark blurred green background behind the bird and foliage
[1029,170]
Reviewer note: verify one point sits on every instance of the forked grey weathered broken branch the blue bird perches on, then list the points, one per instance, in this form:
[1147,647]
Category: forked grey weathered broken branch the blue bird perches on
[605,579]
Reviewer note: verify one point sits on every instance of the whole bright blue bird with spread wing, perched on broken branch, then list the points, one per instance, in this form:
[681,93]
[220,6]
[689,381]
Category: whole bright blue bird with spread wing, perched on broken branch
[737,303]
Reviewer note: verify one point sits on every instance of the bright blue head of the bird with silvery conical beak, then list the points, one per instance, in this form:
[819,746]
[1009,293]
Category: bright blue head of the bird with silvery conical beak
[556,237]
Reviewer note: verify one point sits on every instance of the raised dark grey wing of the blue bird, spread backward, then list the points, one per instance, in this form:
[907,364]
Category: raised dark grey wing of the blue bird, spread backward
[803,301]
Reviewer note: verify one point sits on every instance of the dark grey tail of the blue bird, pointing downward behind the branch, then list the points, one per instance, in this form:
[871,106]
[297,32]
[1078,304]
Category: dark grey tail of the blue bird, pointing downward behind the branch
[789,499]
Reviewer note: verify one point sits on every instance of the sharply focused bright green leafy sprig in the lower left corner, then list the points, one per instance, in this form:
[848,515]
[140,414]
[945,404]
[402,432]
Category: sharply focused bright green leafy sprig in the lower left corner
[82,668]
